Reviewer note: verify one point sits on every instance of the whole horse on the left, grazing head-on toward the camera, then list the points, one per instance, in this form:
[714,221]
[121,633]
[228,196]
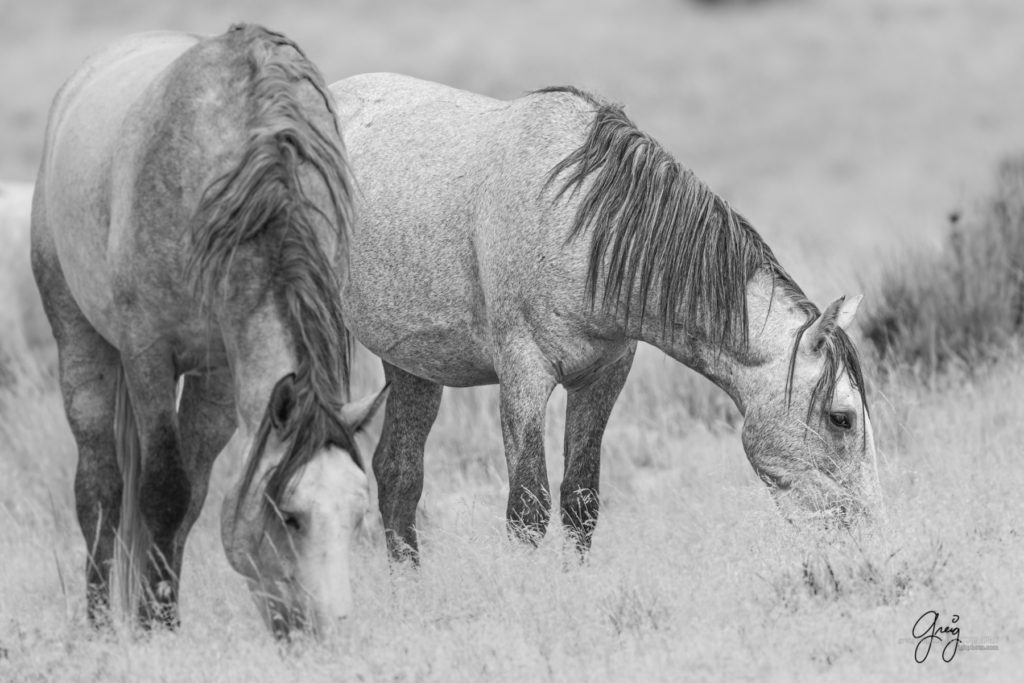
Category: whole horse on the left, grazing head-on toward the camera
[191,220]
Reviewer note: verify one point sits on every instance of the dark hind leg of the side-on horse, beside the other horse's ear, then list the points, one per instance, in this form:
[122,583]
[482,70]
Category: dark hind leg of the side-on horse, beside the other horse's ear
[412,408]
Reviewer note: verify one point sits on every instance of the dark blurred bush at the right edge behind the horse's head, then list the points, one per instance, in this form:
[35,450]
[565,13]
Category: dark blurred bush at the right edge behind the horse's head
[964,305]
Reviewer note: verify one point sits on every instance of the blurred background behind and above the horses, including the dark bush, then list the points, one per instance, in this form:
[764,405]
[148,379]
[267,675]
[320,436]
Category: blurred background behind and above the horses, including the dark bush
[847,133]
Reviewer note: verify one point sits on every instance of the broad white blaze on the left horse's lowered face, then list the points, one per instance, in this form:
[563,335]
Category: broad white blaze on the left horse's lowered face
[328,500]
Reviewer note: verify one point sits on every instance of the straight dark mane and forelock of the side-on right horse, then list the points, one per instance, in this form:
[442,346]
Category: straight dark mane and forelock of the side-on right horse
[657,231]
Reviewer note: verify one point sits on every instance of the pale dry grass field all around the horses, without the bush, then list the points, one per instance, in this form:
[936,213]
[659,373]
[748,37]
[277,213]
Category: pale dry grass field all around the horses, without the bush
[847,133]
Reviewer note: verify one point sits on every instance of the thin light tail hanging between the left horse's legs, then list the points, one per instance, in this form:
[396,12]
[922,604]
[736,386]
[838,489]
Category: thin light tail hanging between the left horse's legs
[134,548]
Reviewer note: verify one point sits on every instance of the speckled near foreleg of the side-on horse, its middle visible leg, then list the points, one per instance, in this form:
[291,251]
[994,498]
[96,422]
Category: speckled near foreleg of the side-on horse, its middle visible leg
[525,393]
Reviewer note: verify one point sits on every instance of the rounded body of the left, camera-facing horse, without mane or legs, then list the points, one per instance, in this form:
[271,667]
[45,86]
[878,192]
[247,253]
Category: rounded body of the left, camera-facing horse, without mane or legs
[137,138]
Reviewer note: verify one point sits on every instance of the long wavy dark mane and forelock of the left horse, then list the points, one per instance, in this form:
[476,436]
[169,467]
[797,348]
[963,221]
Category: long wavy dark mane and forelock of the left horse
[263,197]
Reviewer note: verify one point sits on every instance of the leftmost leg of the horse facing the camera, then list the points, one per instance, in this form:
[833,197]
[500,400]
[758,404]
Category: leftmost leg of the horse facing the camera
[89,368]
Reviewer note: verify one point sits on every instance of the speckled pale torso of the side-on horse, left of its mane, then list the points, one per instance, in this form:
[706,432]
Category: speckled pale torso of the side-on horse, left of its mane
[458,237]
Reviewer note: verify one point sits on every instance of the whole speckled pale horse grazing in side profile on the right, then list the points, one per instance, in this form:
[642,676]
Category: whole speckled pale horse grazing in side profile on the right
[535,242]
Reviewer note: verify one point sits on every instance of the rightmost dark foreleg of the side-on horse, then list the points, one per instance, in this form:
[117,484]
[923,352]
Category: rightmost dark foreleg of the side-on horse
[587,413]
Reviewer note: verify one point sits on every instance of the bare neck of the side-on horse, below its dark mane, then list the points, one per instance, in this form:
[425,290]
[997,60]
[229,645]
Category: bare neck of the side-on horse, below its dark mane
[740,369]
